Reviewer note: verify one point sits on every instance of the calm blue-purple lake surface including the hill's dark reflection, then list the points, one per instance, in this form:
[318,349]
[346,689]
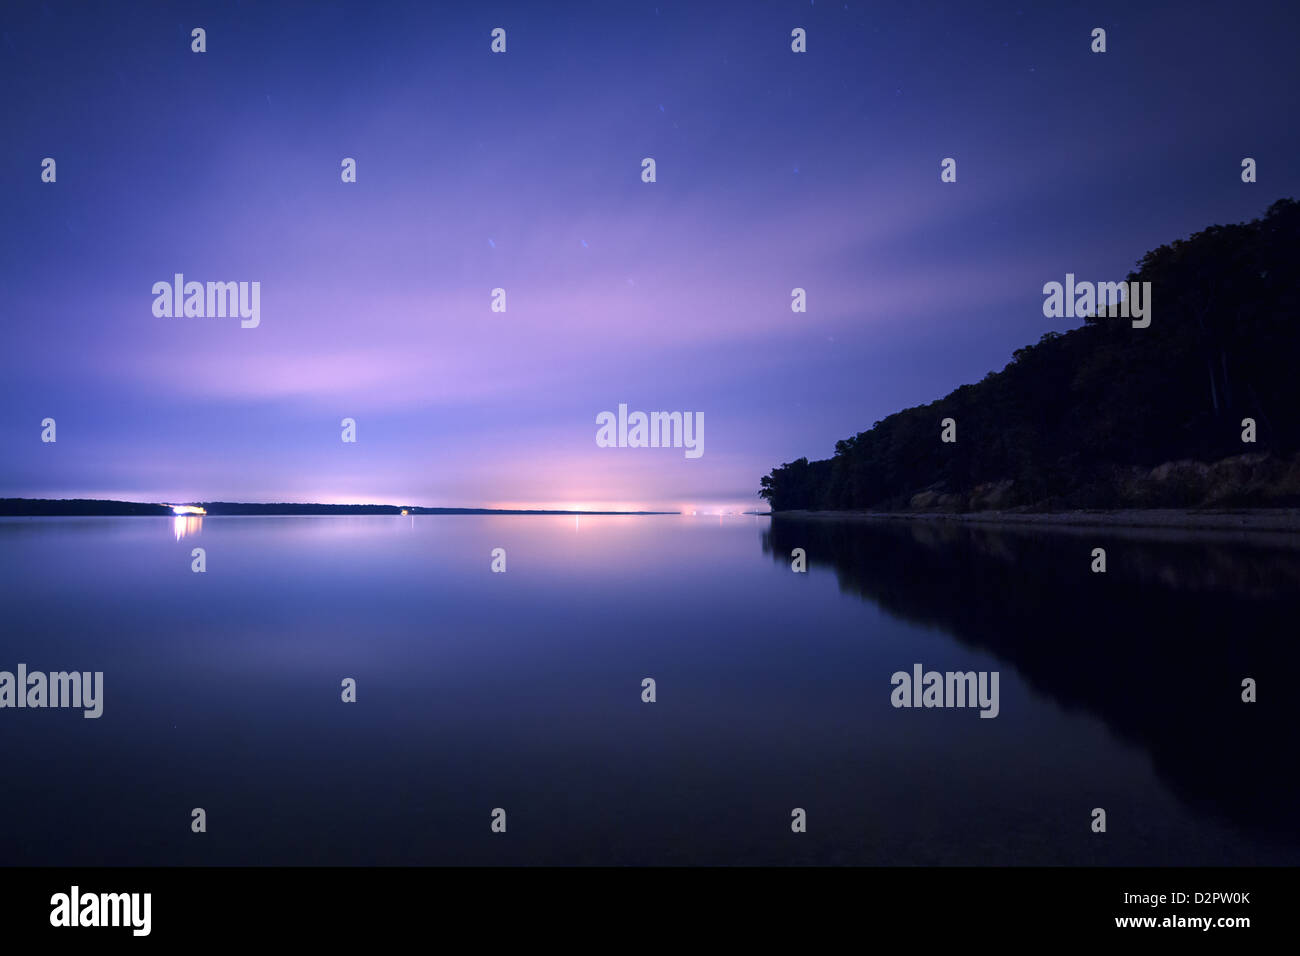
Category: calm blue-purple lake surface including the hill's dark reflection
[523,691]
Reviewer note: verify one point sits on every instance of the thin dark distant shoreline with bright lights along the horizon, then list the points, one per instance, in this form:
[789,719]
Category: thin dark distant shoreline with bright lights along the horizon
[96,508]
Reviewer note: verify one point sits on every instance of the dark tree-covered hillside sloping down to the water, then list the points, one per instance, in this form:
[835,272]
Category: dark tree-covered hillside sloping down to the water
[1190,419]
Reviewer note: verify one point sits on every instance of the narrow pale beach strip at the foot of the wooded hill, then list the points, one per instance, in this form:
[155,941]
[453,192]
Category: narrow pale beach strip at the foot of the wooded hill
[1286,521]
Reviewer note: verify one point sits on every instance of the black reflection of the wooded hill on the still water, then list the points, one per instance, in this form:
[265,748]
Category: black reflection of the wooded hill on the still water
[1156,648]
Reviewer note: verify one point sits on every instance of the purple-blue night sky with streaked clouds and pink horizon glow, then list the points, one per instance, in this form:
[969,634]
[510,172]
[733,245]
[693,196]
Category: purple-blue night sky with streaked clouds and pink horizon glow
[523,171]
